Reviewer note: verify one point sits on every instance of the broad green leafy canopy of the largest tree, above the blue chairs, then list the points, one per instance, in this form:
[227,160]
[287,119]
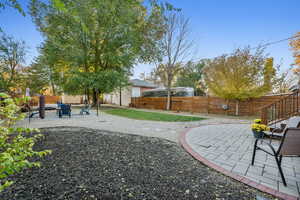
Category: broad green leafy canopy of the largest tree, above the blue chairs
[96,39]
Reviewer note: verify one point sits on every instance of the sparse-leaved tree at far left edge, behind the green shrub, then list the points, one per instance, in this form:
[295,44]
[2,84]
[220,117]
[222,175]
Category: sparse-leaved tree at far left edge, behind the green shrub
[12,59]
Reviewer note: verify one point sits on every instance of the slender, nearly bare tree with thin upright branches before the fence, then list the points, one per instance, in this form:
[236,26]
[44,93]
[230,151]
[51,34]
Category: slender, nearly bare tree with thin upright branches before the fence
[176,47]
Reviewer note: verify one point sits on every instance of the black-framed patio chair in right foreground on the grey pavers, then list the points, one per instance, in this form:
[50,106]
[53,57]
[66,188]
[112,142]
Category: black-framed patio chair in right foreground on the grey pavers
[289,146]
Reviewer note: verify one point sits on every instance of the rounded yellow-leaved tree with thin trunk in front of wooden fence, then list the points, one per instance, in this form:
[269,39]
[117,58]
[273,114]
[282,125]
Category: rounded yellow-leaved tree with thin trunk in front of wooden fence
[240,75]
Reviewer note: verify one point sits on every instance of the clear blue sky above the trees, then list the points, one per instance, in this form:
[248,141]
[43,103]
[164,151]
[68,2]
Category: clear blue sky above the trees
[217,27]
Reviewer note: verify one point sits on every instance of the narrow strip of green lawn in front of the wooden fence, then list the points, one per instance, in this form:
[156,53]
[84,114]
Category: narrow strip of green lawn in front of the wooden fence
[153,116]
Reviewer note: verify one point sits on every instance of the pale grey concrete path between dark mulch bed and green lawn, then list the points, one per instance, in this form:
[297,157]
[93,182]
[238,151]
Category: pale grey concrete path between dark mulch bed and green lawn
[166,130]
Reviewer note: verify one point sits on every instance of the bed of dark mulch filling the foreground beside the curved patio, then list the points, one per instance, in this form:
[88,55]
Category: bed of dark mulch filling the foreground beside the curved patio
[95,164]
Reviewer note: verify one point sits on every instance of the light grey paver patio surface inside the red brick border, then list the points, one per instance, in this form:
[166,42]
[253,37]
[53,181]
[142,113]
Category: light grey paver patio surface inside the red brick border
[230,146]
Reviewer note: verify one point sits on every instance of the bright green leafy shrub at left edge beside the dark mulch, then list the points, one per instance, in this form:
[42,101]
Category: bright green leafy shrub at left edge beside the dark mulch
[15,142]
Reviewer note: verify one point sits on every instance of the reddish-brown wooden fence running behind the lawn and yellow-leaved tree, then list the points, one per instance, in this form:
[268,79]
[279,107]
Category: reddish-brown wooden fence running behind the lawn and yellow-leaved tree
[206,104]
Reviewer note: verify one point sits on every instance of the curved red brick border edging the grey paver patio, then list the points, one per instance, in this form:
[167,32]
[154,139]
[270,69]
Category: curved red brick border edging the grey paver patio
[239,178]
